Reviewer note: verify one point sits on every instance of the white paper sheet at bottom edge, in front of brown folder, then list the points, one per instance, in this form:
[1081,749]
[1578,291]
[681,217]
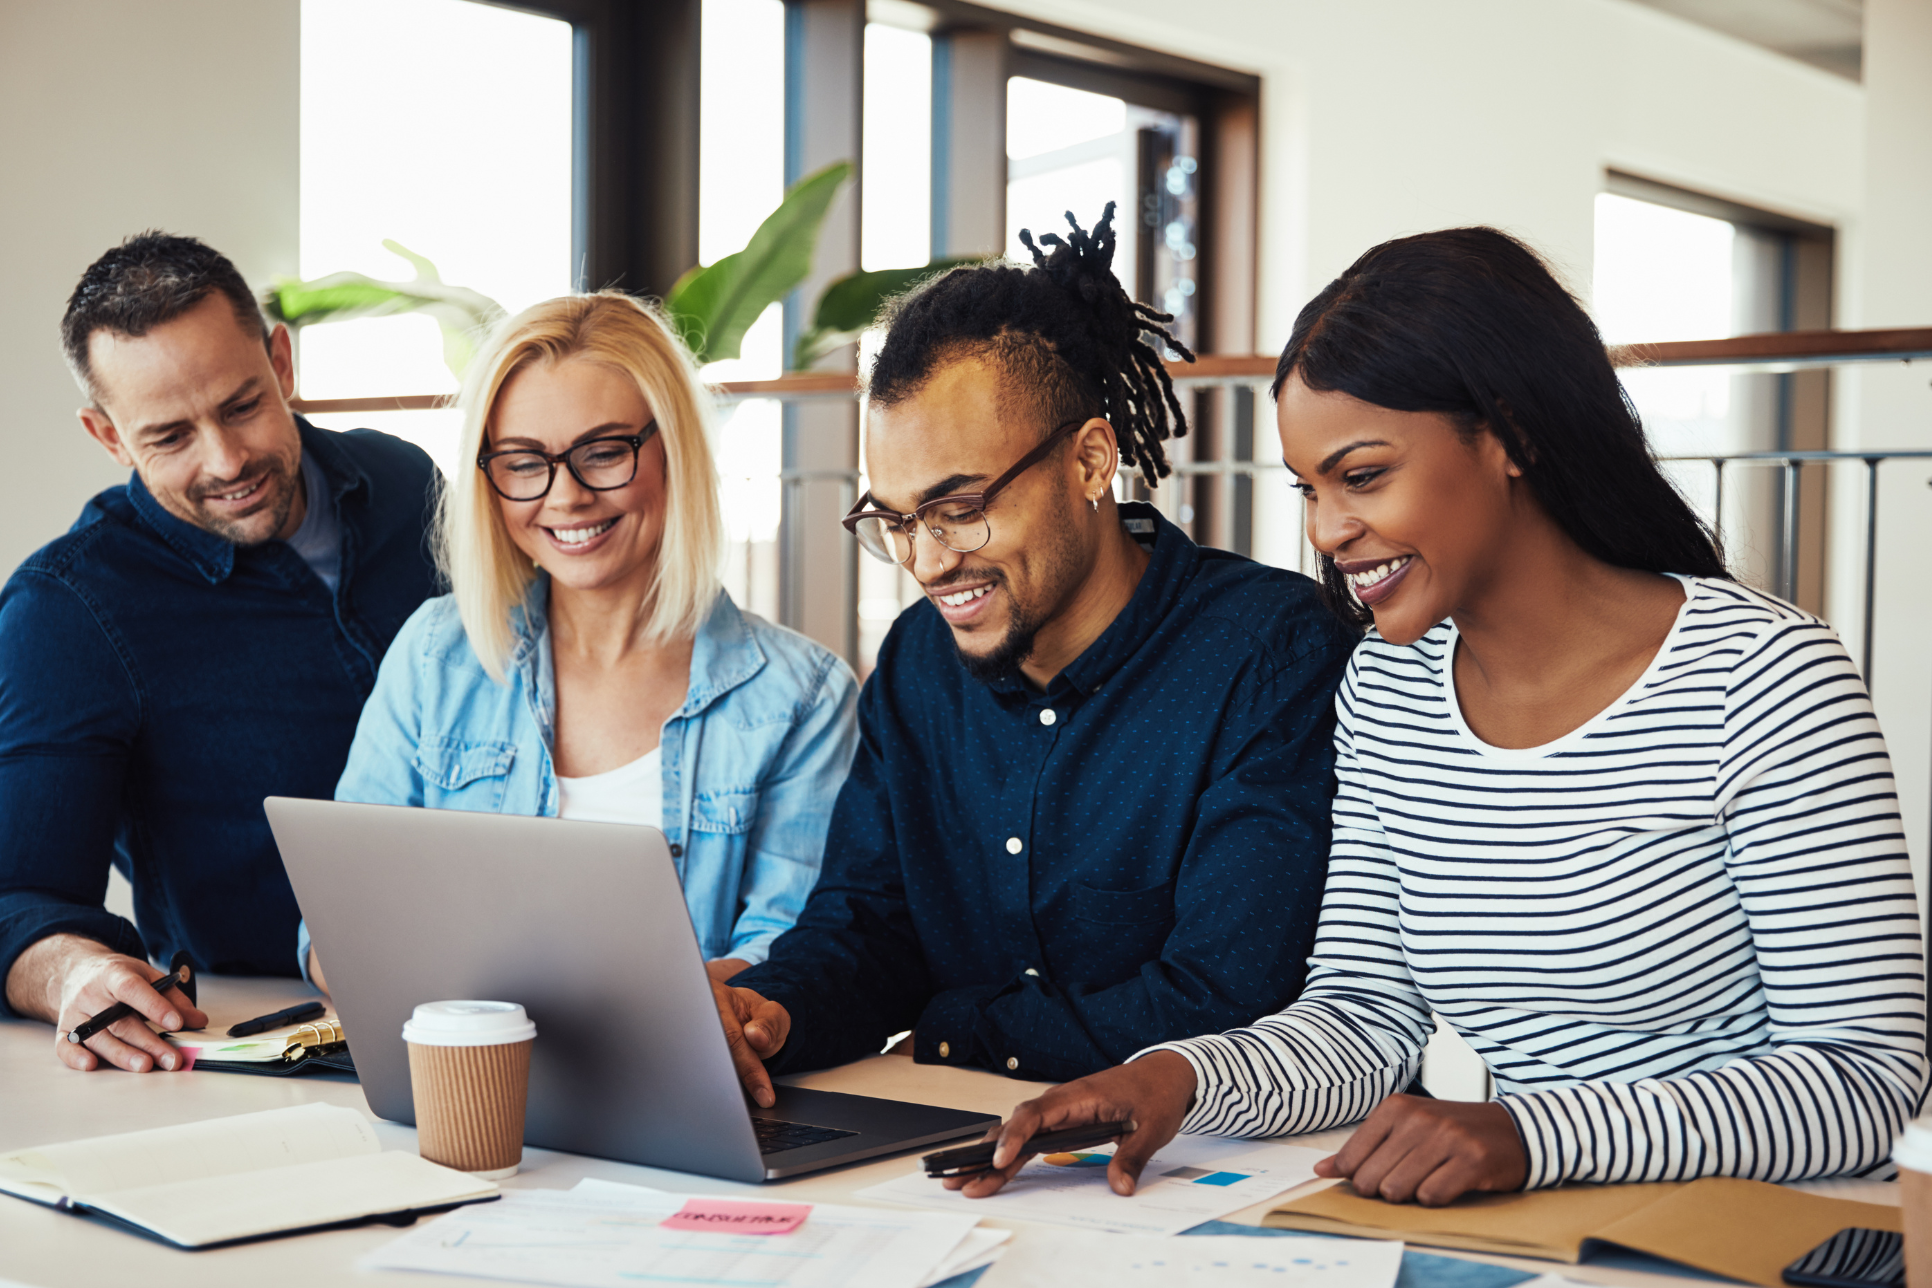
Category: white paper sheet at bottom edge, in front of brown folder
[1205,1262]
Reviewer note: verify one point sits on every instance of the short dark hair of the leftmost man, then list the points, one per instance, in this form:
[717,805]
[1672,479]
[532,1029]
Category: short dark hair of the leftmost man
[146,281]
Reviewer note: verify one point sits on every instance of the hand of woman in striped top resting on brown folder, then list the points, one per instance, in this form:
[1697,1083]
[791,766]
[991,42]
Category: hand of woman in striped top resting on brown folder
[1433,1152]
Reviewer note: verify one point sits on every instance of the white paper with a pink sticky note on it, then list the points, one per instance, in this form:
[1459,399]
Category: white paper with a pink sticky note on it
[610,1237]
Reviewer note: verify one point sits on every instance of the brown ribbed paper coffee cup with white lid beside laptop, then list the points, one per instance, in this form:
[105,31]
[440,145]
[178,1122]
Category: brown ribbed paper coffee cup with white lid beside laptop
[470,1075]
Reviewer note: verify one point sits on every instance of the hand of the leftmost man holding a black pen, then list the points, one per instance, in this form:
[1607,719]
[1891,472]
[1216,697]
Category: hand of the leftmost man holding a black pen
[67,978]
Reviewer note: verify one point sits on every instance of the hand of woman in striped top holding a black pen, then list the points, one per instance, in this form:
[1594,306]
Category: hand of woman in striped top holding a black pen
[1154,1092]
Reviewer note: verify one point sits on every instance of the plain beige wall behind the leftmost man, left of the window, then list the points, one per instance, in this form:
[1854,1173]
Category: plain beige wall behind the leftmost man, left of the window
[119,117]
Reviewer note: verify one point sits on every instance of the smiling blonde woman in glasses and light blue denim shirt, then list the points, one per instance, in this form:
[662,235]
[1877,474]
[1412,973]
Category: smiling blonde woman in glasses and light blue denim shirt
[588,665]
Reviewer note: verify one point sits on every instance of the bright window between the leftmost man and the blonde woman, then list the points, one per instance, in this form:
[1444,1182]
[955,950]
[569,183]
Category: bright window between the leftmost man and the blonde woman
[447,128]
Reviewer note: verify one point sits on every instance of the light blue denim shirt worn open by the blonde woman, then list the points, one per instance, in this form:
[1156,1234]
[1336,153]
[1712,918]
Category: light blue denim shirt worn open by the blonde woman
[753,760]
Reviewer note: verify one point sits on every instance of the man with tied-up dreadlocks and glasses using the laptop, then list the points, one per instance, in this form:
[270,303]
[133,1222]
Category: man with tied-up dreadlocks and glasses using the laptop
[1091,808]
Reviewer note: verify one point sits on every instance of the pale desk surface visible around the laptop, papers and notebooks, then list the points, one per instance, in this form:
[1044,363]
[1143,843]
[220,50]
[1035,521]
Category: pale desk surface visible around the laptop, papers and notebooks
[43,1104]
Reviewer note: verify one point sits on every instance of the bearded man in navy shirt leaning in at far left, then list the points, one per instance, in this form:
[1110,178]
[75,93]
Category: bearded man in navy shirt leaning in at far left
[202,638]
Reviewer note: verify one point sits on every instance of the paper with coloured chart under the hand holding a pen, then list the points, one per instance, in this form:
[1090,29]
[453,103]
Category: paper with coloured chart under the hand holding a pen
[1195,1179]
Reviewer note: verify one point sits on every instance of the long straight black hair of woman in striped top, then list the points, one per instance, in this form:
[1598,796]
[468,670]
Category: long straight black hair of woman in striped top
[1473,325]
